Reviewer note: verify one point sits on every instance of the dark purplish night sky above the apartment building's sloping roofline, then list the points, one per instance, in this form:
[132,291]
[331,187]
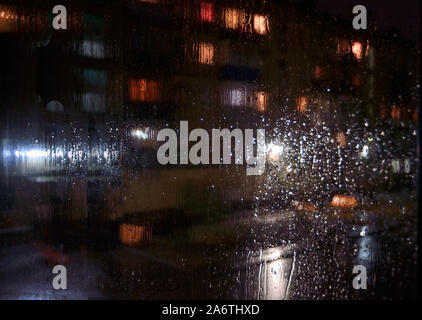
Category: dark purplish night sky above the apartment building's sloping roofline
[403,15]
